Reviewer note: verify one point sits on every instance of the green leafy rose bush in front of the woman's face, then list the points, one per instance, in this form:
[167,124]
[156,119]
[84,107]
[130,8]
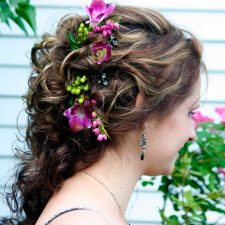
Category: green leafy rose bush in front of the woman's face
[197,184]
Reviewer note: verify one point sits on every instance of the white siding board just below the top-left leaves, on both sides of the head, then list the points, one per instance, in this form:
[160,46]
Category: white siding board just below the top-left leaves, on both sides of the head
[214,54]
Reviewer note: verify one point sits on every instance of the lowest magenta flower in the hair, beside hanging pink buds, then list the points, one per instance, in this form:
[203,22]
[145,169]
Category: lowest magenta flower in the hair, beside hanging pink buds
[79,117]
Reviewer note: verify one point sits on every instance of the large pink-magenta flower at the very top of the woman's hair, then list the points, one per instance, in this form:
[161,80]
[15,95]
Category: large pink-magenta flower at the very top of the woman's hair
[98,11]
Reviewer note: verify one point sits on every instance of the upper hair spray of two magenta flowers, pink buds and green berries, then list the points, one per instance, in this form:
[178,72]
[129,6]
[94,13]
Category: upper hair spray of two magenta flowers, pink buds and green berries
[98,12]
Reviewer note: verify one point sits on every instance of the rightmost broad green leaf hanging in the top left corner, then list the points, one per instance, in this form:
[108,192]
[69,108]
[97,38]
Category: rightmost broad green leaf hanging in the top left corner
[28,13]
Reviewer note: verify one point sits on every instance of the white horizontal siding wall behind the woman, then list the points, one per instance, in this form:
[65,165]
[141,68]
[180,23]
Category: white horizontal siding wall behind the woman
[204,18]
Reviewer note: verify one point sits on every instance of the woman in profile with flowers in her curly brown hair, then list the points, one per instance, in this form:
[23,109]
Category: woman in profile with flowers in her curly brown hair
[110,99]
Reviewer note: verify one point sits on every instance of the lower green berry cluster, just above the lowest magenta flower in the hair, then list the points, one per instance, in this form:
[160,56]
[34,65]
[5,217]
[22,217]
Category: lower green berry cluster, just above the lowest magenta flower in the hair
[78,87]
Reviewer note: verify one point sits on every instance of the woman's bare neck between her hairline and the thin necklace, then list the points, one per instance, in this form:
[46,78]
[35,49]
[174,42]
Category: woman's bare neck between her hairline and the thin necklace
[119,171]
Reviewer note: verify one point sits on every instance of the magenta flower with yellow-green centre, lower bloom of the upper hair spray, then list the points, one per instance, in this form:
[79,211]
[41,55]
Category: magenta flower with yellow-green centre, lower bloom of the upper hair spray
[101,51]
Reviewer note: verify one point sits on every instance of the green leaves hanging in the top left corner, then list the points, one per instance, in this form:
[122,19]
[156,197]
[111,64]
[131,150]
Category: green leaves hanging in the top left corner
[19,11]
